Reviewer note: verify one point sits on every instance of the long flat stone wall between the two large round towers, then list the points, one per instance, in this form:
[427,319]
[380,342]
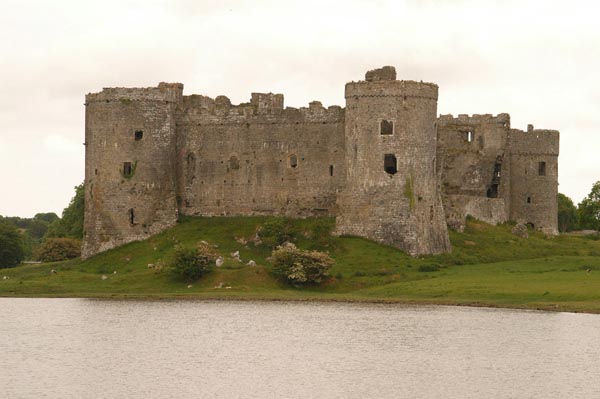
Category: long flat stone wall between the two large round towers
[259,158]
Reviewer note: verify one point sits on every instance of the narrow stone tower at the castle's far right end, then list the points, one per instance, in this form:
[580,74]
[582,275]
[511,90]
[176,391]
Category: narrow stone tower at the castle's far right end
[534,188]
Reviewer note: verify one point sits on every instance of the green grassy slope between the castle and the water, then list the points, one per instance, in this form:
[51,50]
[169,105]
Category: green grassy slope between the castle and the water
[489,266]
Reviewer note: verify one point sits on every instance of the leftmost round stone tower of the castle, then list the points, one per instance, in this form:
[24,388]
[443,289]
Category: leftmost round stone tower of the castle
[128,203]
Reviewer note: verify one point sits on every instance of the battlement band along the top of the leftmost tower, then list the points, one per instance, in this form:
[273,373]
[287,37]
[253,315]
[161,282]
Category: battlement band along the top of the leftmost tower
[171,92]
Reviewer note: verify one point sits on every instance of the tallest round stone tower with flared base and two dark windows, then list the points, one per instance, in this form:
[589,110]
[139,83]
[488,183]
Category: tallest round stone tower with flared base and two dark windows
[392,188]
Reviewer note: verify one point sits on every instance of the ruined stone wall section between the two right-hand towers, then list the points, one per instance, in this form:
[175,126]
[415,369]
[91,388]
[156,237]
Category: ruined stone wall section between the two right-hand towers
[473,161]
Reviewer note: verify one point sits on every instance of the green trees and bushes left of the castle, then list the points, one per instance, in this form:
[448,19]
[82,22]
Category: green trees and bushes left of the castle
[45,237]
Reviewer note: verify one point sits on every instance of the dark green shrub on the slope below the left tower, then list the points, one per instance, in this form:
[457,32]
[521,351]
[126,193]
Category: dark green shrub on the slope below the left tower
[192,263]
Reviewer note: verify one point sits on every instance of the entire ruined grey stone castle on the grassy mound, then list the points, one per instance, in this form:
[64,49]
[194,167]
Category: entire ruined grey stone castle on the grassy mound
[386,167]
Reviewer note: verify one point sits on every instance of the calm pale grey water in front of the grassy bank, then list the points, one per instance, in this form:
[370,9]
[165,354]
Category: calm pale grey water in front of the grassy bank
[76,348]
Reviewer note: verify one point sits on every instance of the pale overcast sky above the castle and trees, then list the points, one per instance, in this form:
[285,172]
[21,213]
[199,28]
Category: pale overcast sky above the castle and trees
[537,60]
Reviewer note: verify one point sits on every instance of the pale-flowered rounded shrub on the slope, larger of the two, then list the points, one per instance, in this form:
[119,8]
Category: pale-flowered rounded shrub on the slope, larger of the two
[299,267]
